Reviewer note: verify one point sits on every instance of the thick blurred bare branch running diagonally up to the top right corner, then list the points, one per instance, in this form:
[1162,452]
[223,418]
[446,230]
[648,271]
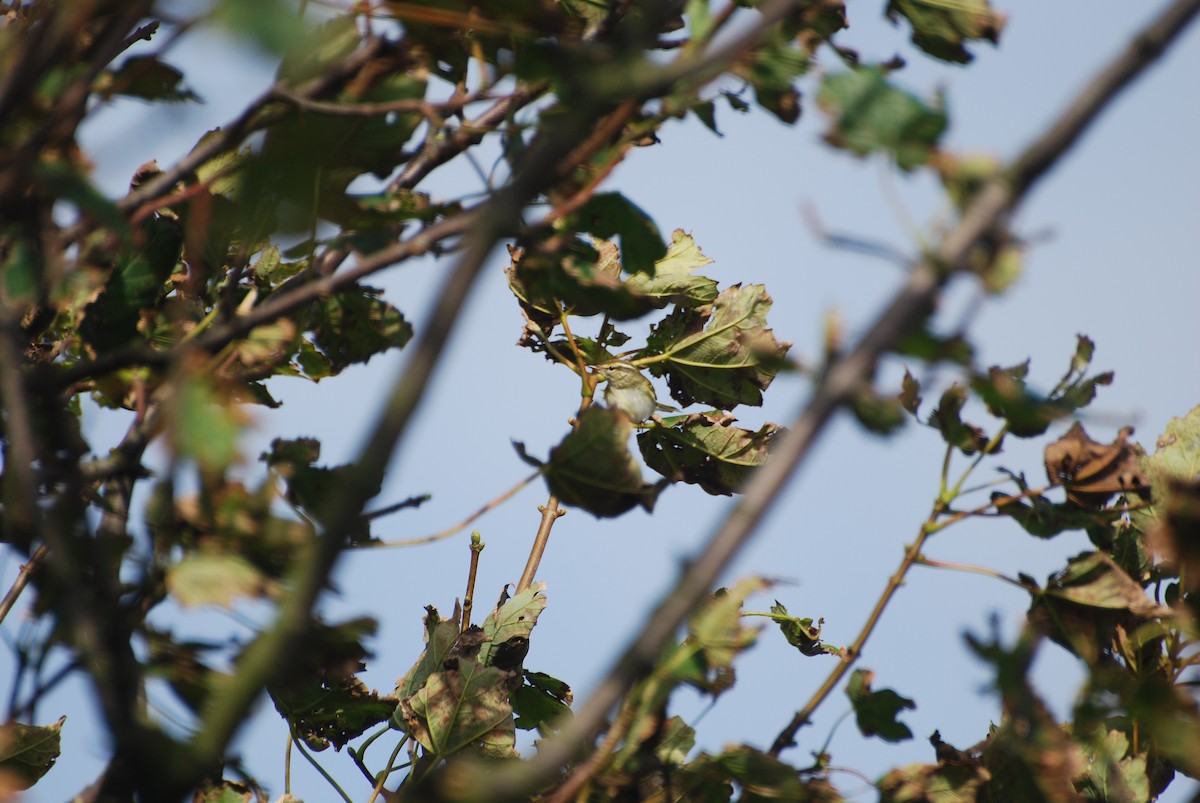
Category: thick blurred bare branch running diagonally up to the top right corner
[907,311]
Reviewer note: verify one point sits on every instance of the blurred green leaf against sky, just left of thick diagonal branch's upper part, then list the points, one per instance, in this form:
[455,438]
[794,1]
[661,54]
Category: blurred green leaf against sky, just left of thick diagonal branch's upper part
[869,115]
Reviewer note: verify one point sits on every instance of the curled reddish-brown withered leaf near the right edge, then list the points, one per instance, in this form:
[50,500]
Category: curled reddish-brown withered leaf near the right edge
[1093,472]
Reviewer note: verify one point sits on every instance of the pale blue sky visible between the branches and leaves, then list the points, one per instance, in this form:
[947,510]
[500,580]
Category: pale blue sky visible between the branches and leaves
[1114,259]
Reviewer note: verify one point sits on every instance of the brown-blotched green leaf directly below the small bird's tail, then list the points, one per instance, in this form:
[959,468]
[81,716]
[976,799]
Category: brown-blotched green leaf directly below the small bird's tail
[705,450]
